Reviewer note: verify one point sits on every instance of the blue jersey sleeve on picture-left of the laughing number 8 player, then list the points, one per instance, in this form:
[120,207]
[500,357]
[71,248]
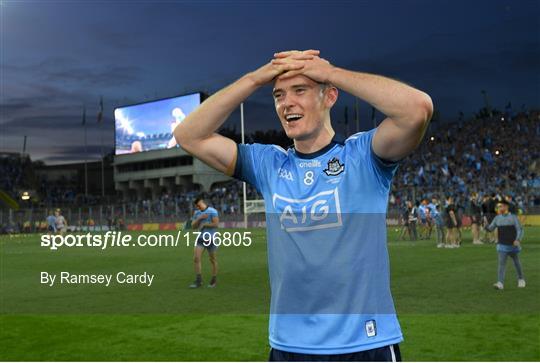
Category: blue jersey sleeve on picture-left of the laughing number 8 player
[249,162]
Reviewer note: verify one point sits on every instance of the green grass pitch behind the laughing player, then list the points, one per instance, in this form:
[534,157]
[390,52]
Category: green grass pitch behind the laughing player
[445,302]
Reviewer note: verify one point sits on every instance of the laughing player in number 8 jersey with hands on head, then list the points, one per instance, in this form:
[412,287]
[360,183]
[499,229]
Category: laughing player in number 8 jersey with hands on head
[325,201]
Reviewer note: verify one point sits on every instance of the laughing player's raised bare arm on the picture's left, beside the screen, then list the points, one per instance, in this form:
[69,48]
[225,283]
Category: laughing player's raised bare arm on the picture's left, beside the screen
[197,133]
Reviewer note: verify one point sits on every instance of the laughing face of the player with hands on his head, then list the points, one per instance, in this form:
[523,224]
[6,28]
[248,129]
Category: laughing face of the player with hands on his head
[301,105]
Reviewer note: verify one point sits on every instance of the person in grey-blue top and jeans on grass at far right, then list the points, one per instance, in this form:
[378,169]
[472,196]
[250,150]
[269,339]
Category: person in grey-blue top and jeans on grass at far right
[510,234]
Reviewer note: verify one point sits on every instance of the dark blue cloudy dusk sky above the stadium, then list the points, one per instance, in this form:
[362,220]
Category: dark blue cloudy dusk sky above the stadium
[57,56]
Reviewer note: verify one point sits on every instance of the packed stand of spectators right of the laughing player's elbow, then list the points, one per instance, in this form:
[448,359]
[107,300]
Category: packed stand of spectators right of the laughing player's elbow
[497,154]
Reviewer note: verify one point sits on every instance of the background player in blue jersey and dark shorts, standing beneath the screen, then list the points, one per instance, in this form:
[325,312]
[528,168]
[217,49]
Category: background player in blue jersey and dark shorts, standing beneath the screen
[206,220]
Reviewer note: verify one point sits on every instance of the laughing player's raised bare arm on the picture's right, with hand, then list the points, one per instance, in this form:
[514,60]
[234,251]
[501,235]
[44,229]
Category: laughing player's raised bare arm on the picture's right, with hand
[408,110]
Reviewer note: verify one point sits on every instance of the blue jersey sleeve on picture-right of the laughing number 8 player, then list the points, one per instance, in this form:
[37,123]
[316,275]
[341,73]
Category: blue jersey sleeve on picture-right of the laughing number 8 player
[363,150]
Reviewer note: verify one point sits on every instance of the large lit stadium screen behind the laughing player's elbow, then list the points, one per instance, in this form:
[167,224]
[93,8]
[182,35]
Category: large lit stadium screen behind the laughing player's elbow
[149,126]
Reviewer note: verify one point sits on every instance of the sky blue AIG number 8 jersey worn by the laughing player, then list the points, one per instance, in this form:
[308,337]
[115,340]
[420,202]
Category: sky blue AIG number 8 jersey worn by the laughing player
[327,254]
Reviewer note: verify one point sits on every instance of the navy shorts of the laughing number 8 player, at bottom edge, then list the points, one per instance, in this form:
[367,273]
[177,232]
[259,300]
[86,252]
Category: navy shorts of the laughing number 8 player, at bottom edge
[389,353]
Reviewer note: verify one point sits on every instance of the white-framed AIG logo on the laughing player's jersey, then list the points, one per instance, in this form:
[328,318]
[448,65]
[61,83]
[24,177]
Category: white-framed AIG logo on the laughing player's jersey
[317,212]
